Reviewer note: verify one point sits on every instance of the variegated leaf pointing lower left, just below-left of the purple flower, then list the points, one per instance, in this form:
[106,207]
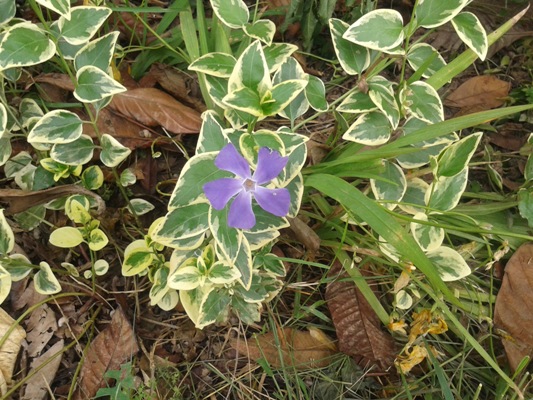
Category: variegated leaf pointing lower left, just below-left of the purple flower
[183,223]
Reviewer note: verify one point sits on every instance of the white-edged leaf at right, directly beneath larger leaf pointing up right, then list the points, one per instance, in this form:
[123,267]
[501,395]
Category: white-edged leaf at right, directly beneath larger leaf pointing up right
[445,192]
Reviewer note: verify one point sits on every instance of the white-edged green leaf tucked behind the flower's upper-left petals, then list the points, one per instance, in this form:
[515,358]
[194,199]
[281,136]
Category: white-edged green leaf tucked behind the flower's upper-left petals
[199,170]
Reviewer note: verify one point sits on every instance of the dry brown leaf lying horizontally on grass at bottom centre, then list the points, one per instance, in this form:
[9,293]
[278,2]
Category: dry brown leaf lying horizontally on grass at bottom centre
[289,348]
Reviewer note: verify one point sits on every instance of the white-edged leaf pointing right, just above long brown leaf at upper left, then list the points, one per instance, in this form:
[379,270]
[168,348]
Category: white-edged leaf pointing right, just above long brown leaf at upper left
[93,85]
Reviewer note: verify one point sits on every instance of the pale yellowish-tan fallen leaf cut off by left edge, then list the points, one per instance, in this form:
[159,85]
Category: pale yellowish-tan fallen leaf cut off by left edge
[9,349]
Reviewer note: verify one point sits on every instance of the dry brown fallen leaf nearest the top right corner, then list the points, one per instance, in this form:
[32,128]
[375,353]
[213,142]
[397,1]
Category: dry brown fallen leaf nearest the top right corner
[479,93]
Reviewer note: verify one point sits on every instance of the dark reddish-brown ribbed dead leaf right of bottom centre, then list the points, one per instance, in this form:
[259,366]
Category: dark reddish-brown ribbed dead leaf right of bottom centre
[357,325]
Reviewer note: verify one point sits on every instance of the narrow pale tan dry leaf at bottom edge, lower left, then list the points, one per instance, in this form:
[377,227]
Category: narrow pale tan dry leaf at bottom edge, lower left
[38,386]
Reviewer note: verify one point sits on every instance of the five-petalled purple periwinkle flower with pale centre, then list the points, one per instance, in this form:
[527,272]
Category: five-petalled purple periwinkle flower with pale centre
[245,186]
